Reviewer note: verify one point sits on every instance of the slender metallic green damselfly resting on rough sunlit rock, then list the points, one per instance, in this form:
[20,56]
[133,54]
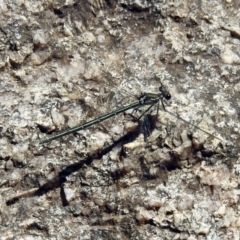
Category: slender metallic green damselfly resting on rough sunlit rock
[143,100]
